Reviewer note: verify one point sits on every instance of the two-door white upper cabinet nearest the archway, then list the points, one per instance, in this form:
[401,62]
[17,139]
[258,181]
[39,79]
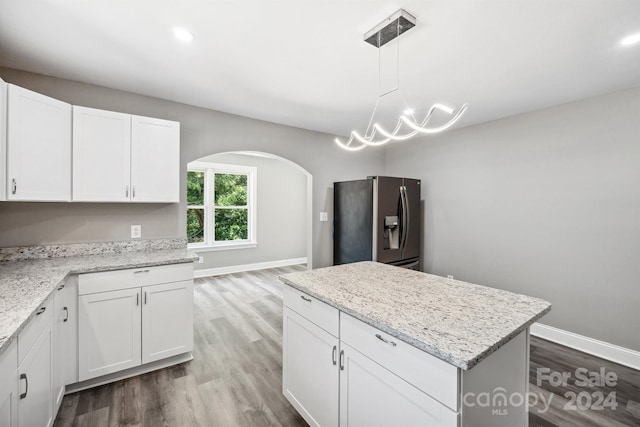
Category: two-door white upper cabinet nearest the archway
[123,158]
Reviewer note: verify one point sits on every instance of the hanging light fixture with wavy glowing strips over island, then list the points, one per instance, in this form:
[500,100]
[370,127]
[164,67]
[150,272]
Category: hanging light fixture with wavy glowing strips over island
[407,126]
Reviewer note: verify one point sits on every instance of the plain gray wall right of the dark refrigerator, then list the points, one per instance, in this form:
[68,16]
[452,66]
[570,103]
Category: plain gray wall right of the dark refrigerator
[545,204]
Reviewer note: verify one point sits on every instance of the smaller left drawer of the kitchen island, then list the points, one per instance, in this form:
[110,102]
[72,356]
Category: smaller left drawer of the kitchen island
[316,311]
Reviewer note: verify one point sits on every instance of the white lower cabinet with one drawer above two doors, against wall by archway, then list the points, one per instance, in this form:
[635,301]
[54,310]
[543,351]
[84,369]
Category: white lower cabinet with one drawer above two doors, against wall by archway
[133,324]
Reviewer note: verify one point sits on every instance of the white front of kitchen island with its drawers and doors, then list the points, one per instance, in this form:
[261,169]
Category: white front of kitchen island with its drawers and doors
[333,383]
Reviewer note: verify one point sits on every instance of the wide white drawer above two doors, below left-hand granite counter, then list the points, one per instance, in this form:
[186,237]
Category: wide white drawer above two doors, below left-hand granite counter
[91,283]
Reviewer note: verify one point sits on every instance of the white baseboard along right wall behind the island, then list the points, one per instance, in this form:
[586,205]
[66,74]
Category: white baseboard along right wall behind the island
[605,350]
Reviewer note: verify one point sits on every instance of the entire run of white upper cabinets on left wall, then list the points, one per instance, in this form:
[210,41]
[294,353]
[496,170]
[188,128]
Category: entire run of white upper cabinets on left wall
[116,157]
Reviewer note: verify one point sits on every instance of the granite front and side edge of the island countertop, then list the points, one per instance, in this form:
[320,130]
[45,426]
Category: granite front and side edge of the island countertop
[442,355]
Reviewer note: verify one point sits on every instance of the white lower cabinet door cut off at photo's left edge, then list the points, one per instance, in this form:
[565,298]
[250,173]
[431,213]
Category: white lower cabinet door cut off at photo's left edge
[9,387]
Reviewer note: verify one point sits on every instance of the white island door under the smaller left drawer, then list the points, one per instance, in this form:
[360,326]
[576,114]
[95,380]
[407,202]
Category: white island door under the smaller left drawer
[310,370]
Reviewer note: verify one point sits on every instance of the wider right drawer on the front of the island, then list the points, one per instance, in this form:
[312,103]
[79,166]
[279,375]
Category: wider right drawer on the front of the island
[433,376]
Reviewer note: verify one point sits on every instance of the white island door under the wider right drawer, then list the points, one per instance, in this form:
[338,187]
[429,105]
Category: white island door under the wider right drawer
[372,396]
